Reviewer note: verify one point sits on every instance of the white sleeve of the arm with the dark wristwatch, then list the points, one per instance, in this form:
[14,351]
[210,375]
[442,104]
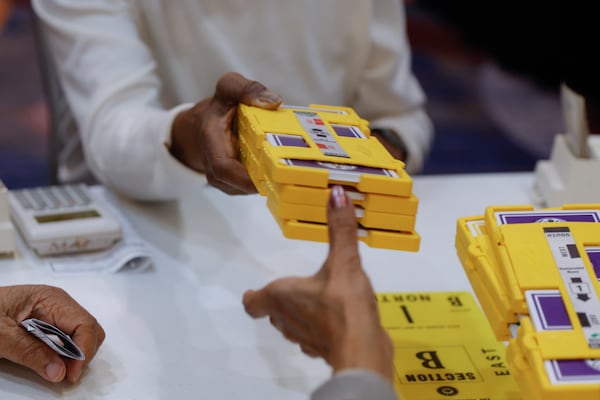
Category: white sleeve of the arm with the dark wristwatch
[389,95]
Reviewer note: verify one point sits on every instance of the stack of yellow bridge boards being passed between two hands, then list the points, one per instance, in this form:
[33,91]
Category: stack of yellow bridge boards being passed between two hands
[295,154]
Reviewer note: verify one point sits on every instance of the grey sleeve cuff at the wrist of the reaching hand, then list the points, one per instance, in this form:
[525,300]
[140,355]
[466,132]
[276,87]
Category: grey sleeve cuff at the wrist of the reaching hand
[355,384]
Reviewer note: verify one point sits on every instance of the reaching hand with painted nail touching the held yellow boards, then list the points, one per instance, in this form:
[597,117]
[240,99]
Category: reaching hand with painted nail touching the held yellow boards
[332,314]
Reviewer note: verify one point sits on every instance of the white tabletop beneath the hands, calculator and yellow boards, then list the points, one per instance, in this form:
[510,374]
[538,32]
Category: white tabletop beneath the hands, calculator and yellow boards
[179,331]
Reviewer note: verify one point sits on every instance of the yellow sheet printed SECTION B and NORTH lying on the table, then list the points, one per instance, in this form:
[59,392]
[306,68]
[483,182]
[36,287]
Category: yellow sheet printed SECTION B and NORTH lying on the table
[444,348]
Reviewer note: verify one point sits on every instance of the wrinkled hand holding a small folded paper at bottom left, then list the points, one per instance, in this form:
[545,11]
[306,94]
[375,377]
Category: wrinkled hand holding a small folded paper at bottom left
[55,306]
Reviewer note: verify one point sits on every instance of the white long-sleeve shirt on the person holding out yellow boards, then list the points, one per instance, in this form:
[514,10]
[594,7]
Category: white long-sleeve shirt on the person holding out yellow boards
[127,67]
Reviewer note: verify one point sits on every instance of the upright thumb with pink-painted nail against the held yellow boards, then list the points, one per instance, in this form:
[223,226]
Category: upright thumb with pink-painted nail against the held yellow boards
[342,223]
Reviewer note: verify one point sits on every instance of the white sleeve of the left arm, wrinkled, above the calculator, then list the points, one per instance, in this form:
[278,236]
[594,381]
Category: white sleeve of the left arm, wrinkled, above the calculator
[109,78]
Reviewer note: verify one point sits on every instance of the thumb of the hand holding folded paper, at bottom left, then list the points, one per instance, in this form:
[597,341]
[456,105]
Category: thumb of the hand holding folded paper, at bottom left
[20,347]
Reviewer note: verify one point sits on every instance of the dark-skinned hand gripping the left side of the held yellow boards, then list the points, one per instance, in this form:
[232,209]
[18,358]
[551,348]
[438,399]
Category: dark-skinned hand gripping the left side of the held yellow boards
[203,139]
